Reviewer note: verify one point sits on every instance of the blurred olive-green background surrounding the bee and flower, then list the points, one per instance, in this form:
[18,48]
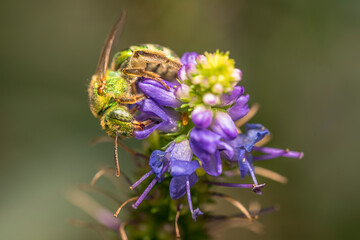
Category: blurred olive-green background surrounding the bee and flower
[300,61]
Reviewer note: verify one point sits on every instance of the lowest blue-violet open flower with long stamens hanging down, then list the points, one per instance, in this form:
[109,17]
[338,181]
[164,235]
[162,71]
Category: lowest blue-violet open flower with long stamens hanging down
[177,160]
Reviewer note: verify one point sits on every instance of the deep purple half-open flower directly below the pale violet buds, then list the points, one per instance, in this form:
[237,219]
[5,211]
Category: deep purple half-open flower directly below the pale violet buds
[207,145]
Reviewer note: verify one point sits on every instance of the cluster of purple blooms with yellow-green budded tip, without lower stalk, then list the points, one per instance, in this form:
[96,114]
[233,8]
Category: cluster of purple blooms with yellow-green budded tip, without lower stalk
[199,112]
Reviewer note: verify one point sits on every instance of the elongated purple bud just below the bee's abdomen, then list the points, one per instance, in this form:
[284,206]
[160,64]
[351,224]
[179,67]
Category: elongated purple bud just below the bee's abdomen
[159,93]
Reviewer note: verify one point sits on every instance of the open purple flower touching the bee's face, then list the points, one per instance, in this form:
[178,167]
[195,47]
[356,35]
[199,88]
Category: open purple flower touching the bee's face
[159,117]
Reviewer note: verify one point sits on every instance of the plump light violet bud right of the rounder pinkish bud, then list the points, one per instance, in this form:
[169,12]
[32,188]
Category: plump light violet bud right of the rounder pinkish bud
[224,126]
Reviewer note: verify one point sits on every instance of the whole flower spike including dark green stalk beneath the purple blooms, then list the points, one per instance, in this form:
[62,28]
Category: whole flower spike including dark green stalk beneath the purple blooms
[192,137]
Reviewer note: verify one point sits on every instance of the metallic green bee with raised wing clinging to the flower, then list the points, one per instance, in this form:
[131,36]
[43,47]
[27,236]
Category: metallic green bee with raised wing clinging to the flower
[113,90]
